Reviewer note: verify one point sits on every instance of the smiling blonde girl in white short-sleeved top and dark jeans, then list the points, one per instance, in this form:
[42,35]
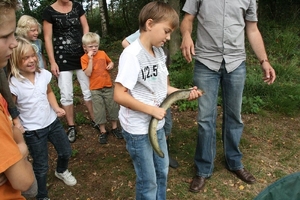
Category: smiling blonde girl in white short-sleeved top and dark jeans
[39,112]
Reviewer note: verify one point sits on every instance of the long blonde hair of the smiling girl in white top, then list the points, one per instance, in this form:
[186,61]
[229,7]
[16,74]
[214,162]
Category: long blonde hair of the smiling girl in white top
[16,58]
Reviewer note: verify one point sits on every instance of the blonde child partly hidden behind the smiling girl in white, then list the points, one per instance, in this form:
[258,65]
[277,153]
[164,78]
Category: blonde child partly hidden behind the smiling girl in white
[28,27]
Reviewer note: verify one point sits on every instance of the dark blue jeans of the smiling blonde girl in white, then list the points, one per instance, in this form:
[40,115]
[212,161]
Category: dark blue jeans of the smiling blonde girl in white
[37,142]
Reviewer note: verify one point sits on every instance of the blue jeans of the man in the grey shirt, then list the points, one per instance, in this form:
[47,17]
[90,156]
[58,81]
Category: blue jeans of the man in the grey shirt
[232,85]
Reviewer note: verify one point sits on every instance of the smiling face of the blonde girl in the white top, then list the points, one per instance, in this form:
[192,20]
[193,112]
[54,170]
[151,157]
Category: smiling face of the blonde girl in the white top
[29,62]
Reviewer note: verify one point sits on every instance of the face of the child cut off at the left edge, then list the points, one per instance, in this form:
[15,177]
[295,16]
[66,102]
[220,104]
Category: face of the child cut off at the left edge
[7,37]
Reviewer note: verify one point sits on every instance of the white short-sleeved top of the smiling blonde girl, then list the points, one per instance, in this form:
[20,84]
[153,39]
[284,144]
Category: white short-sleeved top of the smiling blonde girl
[32,102]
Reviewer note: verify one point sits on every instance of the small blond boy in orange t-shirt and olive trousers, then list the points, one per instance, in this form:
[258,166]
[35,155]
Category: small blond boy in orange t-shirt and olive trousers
[96,65]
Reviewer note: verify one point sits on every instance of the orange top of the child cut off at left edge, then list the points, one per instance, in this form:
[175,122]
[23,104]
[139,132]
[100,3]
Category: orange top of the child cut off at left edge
[10,153]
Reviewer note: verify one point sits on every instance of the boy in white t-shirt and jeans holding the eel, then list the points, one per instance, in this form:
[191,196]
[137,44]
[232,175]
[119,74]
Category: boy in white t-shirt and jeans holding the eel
[140,87]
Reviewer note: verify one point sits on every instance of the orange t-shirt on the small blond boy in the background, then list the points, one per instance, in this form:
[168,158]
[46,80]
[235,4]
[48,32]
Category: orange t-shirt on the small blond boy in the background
[100,76]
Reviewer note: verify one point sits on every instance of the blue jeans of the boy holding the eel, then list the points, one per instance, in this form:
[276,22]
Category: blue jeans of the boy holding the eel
[151,170]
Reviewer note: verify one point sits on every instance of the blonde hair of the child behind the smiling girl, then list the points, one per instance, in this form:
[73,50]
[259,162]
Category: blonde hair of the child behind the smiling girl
[25,23]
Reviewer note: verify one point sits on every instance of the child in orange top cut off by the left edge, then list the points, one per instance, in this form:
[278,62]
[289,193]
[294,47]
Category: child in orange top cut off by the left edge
[16,172]
